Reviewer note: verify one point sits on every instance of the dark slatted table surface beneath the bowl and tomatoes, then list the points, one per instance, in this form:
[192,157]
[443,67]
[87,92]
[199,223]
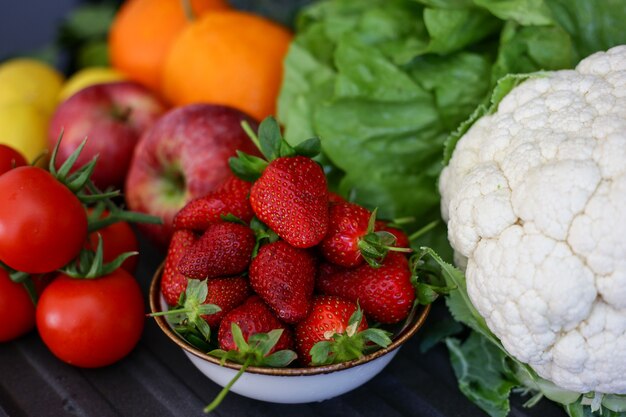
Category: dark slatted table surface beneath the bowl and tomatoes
[157,379]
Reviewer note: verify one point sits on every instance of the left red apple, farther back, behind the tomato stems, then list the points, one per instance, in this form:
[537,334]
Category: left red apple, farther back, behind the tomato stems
[112,117]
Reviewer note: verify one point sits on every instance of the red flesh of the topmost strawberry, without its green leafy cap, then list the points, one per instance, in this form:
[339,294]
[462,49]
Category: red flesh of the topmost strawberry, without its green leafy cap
[291,197]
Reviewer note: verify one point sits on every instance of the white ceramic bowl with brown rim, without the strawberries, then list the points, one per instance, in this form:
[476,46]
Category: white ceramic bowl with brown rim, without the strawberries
[288,385]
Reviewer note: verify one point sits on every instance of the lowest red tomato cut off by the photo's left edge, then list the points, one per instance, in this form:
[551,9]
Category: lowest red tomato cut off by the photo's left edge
[17,311]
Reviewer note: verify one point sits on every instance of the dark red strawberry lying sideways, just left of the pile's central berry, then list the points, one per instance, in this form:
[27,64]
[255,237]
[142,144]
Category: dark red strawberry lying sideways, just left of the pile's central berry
[223,249]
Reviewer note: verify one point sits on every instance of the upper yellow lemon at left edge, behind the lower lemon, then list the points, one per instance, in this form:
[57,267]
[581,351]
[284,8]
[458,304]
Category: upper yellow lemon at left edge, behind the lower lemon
[30,81]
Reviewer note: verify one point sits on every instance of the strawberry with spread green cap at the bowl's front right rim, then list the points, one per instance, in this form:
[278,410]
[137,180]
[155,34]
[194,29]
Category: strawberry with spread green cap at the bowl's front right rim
[335,331]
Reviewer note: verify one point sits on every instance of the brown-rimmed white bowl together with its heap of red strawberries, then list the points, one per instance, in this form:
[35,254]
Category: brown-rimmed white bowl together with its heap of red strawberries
[280,290]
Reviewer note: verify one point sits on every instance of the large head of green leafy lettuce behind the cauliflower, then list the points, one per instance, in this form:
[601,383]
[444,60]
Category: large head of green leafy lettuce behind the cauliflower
[384,82]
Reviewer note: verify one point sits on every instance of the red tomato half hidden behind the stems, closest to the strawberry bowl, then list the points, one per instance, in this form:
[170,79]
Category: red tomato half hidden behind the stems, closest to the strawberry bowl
[116,239]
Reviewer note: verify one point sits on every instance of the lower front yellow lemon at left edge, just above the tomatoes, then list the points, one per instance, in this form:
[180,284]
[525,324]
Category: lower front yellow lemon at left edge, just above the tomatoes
[24,127]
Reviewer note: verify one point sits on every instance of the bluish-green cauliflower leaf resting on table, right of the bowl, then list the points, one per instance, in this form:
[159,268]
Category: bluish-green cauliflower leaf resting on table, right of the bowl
[479,369]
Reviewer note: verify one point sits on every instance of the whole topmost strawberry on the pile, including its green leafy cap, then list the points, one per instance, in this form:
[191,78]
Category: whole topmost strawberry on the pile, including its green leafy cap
[290,193]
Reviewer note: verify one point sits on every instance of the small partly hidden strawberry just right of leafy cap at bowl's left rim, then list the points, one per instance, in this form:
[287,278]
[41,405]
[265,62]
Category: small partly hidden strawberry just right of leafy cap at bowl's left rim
[226,293]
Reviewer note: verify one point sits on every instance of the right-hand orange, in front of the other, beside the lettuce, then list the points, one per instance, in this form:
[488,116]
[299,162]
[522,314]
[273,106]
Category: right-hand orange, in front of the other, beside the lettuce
[228,57]
